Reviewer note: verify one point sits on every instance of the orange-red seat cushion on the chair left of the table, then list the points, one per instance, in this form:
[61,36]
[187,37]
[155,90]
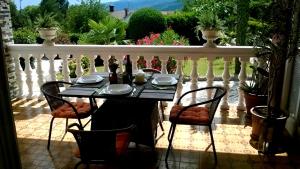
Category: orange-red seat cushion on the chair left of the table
[66,111]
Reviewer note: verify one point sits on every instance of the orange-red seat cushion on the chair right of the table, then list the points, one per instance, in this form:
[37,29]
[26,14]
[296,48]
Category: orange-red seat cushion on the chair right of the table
[193,115]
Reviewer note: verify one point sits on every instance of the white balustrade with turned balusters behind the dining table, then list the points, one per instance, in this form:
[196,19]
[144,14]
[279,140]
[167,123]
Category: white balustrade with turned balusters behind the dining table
[119,51]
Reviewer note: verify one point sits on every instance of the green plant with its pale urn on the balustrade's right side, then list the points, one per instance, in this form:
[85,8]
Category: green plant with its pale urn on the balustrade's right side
[209,24]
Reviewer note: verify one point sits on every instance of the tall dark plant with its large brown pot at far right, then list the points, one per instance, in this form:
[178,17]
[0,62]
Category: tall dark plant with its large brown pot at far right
[282,47]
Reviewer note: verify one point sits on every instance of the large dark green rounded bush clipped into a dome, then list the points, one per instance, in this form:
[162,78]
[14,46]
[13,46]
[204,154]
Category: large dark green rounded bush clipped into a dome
[145,21]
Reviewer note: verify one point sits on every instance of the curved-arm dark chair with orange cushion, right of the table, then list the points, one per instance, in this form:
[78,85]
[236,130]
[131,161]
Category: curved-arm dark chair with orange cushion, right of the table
[195,114]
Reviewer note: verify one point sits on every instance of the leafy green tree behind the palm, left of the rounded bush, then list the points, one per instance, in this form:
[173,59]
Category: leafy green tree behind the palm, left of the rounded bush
[78,15]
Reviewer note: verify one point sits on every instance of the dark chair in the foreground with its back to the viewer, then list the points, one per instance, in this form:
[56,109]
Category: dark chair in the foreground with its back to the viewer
[101,146]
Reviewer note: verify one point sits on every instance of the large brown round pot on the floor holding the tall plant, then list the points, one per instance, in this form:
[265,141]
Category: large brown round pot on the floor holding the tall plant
[274,127]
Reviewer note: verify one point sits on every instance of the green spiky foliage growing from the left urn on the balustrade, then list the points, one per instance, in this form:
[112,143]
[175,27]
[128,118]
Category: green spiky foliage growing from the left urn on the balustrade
[46,20]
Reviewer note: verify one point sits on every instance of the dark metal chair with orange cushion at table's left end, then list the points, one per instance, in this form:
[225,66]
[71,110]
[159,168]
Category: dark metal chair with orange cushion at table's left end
[61,108]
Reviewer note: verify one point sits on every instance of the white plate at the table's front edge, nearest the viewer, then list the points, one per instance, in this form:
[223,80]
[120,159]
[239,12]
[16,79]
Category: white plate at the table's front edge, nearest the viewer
[117,89]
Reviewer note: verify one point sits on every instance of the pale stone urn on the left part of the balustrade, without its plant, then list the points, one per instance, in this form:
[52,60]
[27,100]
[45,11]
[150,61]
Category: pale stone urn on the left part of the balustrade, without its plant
[48,34]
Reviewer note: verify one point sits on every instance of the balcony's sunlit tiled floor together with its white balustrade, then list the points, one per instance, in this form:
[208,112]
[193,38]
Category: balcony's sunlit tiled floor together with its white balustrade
[191,149]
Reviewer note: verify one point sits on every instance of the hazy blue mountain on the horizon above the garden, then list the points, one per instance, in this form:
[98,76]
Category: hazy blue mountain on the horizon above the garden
[163,5]
